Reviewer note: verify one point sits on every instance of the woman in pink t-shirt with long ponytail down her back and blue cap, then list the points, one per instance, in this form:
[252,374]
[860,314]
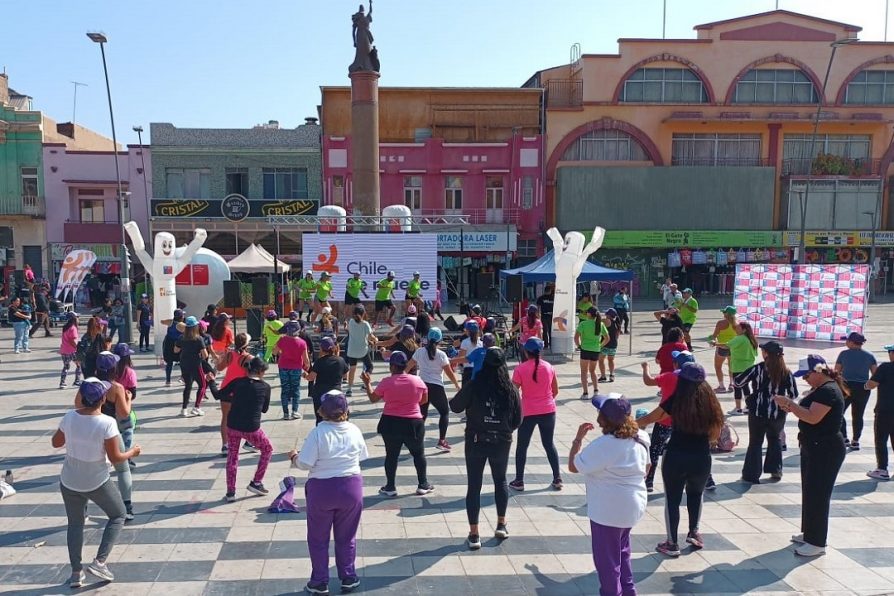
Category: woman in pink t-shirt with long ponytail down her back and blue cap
[539,387]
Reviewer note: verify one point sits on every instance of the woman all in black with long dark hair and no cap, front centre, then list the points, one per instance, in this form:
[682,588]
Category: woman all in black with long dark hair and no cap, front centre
[493,409]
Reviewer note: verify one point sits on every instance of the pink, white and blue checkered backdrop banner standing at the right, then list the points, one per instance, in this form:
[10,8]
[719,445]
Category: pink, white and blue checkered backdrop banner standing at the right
[820,302]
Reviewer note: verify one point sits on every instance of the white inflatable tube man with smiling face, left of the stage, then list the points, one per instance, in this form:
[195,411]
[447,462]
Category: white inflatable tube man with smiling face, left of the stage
[164,267]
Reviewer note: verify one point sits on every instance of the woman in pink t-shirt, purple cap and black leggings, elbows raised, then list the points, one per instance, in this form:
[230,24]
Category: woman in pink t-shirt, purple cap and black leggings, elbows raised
[401,423]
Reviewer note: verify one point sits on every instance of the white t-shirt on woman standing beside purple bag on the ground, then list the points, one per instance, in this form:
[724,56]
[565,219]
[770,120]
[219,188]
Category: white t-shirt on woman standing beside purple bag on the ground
[332,450]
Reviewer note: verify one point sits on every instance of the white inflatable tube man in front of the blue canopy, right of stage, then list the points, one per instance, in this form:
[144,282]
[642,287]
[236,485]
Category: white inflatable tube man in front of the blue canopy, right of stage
[570,254]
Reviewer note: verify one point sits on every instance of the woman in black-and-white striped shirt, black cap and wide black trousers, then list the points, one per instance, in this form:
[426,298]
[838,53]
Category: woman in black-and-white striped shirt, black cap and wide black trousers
[765,418]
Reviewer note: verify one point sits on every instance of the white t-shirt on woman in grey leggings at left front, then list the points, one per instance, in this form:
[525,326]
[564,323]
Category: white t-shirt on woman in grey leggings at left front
[85,467]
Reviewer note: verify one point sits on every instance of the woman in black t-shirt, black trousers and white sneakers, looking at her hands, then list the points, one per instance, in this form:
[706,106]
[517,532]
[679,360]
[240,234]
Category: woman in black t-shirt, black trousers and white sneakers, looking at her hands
[820,414]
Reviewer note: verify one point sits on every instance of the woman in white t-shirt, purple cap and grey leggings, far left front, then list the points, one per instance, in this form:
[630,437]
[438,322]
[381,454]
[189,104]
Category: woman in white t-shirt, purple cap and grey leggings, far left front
[89,438]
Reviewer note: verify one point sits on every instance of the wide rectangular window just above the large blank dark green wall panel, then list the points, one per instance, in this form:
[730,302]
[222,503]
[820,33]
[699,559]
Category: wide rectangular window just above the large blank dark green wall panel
[716,150]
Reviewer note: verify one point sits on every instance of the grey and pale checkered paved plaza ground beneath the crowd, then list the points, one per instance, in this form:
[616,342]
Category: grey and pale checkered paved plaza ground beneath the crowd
[186,540]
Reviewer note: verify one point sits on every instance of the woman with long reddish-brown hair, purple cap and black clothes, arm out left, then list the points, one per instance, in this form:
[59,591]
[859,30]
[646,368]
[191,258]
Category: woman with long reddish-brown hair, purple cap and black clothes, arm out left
[697,420]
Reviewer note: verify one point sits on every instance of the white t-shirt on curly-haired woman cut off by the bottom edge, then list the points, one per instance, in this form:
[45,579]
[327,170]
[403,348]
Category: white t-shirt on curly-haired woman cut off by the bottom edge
[614,471]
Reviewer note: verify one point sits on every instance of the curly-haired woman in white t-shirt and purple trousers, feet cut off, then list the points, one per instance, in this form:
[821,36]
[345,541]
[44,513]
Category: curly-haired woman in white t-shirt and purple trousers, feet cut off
[614,468]
